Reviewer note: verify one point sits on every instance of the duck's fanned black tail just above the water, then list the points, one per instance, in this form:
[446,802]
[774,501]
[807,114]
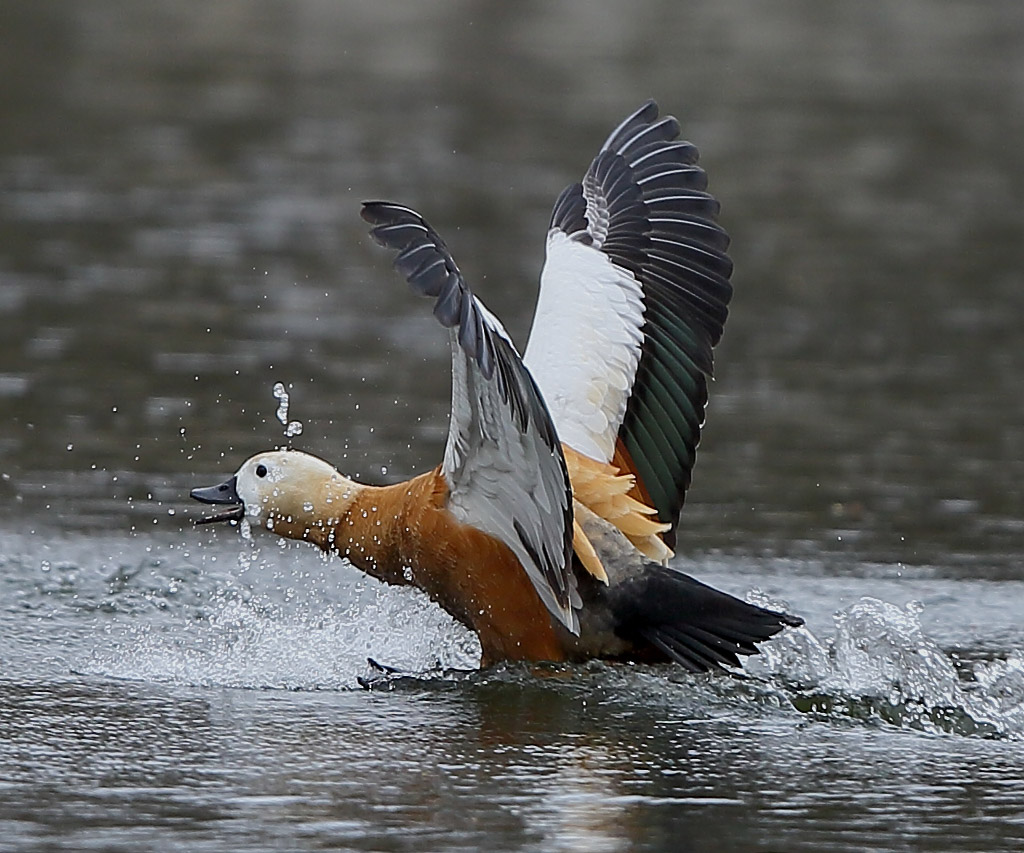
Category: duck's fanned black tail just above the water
[690,622]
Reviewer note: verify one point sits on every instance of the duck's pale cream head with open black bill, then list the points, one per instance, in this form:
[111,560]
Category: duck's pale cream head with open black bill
[289,492]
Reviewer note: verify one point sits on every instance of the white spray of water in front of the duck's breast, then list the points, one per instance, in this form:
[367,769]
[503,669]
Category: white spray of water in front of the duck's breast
[249,642]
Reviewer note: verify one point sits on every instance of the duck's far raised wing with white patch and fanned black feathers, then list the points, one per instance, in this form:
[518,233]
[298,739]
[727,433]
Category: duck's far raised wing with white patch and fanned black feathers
[634,295]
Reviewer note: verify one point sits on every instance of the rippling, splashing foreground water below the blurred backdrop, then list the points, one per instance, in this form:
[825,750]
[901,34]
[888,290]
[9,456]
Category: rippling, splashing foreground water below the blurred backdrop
[206,697]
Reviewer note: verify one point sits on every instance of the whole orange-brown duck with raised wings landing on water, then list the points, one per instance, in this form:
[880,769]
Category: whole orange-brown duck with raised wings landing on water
[550,523]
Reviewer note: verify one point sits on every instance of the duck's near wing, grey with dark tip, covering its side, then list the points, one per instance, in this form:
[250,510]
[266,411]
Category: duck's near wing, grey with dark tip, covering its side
[503,462]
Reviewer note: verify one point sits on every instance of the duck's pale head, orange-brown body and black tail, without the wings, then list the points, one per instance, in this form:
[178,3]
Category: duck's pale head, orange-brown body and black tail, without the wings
[629,608]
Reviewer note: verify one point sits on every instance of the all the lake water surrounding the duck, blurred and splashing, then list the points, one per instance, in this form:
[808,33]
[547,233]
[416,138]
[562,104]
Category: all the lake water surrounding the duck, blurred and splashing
[180,189]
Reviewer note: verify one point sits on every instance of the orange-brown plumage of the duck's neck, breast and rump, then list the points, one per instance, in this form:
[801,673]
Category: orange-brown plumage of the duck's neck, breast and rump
[406,535]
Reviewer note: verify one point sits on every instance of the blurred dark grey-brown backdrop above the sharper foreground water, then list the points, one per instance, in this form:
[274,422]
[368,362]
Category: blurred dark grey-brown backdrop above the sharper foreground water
[180,189]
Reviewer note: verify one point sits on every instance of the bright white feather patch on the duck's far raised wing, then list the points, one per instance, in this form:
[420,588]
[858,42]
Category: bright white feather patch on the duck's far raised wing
[585,345]
